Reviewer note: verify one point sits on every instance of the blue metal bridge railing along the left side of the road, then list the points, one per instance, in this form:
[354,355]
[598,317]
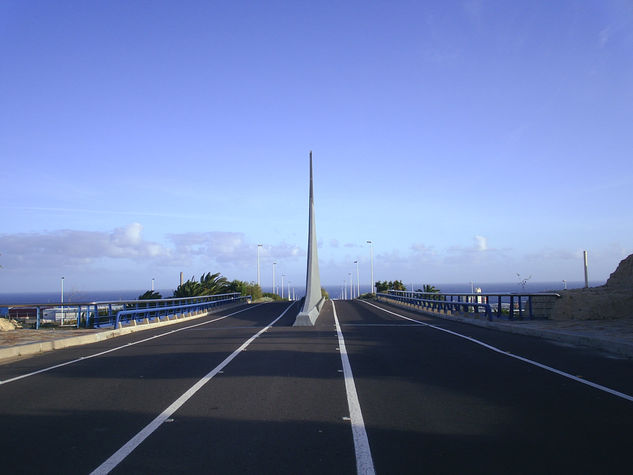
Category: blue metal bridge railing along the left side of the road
[113,313]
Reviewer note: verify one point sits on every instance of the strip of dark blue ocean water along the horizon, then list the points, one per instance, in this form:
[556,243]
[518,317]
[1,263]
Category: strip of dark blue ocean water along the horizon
[335,291]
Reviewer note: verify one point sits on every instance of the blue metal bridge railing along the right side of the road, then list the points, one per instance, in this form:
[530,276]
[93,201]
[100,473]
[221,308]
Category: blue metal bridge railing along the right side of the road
[503,305]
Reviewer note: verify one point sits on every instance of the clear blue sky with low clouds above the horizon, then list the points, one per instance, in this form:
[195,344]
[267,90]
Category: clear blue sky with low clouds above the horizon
[470,141]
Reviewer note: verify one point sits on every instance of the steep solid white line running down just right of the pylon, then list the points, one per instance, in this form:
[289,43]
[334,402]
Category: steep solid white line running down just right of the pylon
[364,461]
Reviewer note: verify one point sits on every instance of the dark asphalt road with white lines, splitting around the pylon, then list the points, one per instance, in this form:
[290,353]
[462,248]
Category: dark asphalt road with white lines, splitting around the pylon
[227,395]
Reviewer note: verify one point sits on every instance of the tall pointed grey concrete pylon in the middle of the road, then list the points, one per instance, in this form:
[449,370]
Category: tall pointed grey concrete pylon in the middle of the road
[314,301]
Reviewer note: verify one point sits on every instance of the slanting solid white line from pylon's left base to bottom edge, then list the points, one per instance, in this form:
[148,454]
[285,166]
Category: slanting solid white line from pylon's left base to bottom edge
[135,441]
